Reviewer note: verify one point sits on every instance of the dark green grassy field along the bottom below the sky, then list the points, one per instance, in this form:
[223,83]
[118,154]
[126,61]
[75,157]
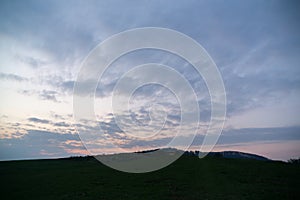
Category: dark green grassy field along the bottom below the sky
[187,178]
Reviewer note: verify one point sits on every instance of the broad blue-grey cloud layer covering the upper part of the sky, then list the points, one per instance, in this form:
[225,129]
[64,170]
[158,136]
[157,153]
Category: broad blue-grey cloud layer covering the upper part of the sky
[245,68]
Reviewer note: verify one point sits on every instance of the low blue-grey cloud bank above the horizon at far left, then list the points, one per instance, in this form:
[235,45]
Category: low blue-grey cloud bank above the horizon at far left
[40,144]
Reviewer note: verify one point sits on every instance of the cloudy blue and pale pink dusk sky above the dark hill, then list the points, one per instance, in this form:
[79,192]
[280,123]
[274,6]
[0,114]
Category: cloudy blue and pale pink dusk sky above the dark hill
[255,45]
